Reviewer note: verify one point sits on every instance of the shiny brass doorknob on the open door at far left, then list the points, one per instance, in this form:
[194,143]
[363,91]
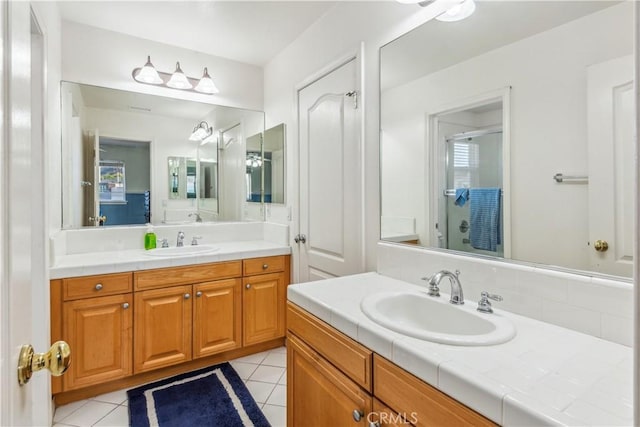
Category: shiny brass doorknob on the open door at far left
[56,360]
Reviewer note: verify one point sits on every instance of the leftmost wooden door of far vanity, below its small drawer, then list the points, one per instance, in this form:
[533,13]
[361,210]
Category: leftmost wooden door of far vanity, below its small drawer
[99,332]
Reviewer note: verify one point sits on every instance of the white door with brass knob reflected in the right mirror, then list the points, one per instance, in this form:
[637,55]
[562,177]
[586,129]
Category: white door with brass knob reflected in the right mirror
[611,140]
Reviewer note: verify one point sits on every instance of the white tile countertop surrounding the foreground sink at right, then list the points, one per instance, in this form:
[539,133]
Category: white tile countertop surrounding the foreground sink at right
[546,375]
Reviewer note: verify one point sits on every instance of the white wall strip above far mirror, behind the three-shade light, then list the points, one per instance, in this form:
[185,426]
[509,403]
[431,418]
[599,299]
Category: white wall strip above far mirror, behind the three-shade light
[105,58]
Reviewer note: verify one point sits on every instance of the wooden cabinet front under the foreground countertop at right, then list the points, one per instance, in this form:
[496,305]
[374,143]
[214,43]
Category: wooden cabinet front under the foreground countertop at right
[324,365]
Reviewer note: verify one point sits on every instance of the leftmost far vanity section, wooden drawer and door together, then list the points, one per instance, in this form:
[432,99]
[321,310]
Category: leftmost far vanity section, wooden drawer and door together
[97,328]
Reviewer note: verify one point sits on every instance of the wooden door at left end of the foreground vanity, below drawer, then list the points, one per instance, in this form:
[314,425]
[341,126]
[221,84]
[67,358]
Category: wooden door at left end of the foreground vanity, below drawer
[320,395]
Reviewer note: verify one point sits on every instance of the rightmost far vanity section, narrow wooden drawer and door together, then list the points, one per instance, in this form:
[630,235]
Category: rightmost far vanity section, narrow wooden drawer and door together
[263,299]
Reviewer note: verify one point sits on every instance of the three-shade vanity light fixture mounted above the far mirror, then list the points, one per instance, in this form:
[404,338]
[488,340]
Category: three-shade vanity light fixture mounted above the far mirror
[147,74]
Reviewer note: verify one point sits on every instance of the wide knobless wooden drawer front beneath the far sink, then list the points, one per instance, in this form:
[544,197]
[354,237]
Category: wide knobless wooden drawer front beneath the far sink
[152,279]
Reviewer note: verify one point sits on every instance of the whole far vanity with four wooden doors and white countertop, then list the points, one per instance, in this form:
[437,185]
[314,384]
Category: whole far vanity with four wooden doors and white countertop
[143,317]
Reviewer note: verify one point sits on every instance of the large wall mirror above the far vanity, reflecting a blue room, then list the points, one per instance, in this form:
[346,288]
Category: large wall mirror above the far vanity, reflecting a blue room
[127,158]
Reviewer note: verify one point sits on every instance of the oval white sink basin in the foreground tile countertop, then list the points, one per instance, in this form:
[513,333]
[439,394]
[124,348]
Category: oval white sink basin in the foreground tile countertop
[418,315]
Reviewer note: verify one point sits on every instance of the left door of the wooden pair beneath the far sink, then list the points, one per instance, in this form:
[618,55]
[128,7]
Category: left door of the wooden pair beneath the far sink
[162,331]
